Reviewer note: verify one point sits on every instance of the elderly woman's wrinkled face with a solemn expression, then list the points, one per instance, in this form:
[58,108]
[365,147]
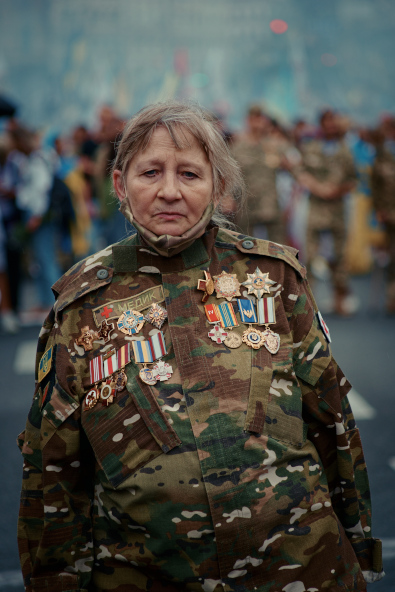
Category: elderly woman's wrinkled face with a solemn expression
[168,189]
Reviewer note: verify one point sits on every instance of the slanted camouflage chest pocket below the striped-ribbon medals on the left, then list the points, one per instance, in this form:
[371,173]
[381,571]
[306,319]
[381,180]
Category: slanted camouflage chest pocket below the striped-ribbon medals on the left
[130,432]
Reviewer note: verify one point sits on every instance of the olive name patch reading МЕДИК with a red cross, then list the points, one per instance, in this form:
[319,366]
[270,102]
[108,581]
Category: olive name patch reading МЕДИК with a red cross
[114,309]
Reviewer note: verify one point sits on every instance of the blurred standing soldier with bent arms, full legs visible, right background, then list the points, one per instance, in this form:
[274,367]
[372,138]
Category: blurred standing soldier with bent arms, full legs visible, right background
[329,175]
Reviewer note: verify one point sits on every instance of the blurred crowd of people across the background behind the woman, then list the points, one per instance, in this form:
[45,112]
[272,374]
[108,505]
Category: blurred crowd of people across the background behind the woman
[326,189]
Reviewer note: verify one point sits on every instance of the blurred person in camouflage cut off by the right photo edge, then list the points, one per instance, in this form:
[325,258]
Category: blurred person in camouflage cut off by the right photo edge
[383,194]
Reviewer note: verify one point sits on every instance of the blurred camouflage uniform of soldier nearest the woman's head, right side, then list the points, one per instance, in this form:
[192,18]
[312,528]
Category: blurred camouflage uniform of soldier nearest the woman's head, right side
[260,163]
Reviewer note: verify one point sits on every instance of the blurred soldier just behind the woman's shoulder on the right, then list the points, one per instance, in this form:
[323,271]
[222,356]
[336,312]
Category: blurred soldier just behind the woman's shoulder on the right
[261,155]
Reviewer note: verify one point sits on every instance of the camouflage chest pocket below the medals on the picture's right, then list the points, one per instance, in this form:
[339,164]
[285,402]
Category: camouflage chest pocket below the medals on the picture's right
[275,400]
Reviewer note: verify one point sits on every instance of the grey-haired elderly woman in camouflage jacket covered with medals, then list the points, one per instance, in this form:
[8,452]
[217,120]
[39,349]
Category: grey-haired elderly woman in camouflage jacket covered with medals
[190,429]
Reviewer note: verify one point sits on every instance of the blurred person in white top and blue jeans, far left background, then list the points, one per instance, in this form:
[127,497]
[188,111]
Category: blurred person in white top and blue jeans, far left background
[36,170]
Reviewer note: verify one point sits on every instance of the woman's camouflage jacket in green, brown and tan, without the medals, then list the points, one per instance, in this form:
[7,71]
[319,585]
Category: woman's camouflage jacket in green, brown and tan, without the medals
[243,471]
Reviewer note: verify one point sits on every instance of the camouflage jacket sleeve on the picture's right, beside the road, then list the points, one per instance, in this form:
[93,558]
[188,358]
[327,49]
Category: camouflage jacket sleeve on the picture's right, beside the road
[331,427]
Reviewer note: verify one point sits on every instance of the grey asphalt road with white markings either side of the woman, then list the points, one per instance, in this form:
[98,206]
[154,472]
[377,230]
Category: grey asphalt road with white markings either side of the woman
[364,347]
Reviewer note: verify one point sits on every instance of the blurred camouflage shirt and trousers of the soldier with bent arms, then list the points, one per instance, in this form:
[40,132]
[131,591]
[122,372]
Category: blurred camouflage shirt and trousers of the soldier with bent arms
[334,165]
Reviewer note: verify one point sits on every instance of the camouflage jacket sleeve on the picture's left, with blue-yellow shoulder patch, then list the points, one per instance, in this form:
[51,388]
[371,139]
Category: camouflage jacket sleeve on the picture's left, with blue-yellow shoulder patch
[54,526]
